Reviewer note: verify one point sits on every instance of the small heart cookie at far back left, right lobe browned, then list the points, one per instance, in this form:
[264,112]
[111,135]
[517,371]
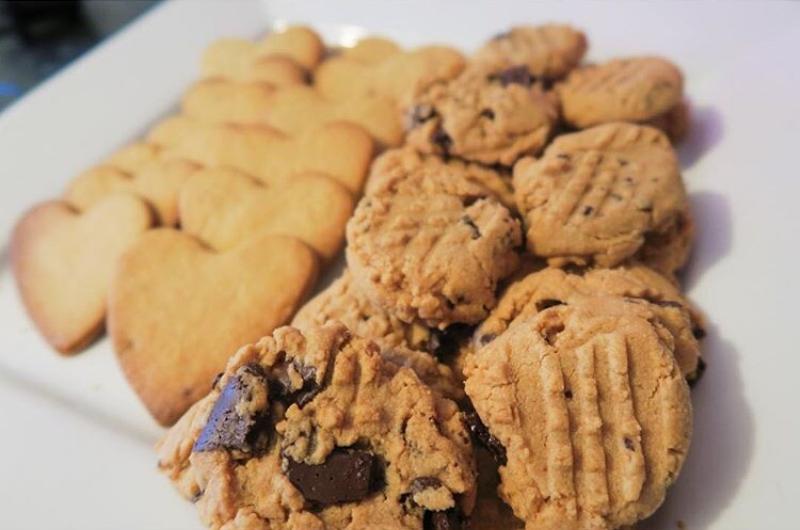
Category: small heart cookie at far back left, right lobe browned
[241,60]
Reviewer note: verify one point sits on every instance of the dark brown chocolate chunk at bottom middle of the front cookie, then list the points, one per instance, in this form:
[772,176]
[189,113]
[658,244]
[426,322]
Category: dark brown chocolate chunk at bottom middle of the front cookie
[348,475]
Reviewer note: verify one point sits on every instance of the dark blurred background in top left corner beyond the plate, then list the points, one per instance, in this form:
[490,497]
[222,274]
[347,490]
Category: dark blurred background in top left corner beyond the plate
[38,37]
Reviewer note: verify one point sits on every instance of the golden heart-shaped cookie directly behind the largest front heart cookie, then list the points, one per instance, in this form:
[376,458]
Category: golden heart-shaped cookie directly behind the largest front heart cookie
[224,207]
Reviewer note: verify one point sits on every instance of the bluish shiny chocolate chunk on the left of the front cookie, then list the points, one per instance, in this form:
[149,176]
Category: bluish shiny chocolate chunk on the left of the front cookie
[232,425]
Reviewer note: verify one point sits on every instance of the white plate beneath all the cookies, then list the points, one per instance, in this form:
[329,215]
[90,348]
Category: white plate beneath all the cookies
[75,441]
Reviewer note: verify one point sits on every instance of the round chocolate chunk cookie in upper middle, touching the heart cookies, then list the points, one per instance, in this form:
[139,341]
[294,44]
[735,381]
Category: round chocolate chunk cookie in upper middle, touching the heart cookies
[486,117]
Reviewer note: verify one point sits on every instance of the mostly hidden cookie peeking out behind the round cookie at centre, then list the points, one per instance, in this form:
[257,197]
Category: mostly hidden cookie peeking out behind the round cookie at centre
[396,163]
